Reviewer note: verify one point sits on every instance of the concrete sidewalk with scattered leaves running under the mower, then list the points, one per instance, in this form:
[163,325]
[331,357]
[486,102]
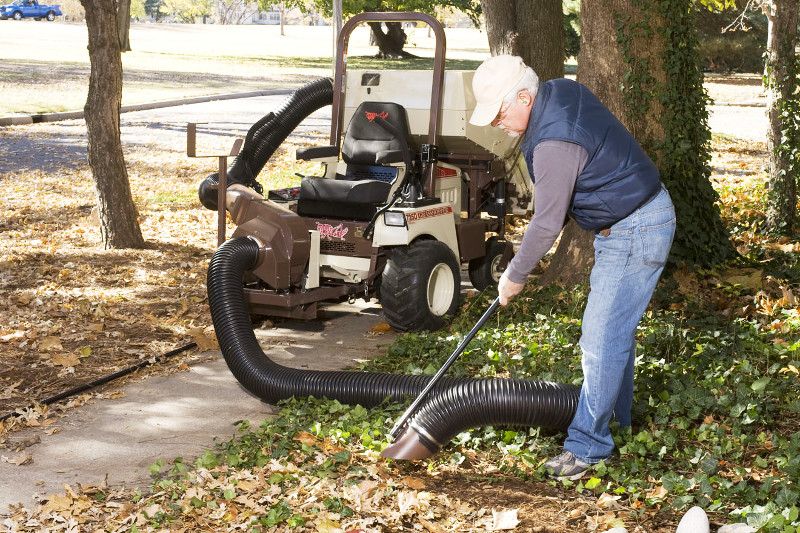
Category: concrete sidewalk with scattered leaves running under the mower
[177,415]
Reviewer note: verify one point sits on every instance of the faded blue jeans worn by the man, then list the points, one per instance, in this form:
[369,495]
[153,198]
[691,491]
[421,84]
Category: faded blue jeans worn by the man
[628,263]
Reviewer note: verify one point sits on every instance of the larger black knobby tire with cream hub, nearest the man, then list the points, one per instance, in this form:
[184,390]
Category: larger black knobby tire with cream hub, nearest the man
[420,286]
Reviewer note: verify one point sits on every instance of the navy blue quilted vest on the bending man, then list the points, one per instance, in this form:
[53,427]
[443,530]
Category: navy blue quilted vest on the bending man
[618,177]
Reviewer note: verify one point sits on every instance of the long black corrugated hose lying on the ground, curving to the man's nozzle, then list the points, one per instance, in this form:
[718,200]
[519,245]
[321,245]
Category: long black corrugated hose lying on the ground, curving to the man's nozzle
[456,404]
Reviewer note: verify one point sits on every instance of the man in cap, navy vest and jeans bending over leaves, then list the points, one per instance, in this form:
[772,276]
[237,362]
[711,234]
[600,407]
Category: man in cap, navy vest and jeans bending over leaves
[587,166]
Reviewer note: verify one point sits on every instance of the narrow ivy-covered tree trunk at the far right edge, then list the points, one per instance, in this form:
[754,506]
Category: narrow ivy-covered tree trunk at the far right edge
[781,78]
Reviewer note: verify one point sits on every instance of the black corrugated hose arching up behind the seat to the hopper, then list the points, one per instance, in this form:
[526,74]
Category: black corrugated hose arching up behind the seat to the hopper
[266,135]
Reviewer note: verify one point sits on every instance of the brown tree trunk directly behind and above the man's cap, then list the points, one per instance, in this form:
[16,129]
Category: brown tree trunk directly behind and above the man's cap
[531,29]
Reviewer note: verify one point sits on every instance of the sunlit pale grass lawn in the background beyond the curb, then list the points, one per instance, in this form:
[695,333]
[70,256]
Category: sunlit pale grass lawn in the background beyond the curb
[47,64]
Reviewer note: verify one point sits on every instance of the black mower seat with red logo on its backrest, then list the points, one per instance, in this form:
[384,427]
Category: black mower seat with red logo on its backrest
[377,135]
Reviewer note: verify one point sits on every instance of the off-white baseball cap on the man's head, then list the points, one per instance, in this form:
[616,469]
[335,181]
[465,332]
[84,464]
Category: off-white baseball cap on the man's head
[493,80]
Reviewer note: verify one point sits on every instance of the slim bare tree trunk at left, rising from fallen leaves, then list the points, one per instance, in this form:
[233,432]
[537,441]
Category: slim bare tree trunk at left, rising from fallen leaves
[119,224]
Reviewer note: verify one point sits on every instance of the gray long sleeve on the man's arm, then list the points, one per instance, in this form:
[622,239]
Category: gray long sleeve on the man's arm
[556,166]
